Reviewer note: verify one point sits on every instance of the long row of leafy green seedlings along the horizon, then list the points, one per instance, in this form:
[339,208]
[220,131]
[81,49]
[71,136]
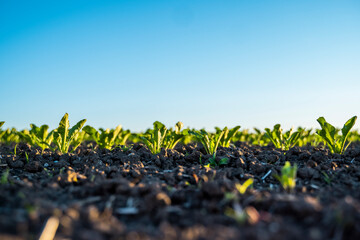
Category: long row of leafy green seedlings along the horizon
[65,138]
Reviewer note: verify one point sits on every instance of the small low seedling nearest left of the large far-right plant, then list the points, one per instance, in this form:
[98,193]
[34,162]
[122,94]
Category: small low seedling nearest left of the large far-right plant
[280,140]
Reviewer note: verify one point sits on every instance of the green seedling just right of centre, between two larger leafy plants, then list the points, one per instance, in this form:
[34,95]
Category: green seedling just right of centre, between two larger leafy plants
[209,141]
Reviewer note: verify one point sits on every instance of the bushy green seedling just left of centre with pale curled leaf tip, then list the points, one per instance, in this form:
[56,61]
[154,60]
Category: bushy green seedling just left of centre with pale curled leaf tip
[161,137]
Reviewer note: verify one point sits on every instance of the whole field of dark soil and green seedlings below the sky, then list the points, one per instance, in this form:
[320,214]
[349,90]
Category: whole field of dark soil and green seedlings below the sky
[82,183]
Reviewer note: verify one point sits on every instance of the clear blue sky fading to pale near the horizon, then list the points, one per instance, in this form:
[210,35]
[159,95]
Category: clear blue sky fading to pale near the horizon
[205,63]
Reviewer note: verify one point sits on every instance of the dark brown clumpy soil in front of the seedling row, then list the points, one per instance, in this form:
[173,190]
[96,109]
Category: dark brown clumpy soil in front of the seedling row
[128,193]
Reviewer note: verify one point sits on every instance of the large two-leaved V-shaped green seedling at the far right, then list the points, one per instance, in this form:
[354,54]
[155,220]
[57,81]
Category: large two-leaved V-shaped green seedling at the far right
[328,133]
